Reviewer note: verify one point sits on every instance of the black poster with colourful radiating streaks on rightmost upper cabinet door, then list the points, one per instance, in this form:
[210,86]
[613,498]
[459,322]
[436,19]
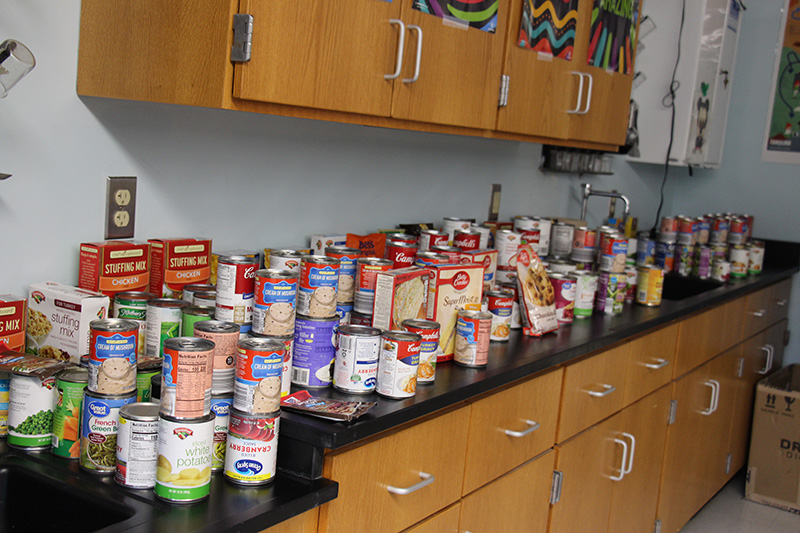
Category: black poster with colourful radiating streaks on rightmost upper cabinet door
[612,43]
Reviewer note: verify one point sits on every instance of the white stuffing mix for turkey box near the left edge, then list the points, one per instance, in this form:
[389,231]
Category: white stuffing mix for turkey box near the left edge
[58,320]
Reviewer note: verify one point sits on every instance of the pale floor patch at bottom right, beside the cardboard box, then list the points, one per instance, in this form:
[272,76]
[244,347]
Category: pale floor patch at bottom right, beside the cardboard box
[729,512]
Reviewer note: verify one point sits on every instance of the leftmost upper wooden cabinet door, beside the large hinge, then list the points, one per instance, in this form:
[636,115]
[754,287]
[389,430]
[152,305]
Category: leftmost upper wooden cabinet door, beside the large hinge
[321,54]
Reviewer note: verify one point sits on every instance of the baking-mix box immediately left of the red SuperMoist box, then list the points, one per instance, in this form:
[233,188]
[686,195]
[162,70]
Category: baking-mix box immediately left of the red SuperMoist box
[400,294]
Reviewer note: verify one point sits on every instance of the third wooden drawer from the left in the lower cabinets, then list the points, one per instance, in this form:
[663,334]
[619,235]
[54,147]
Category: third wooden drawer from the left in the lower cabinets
[593,390]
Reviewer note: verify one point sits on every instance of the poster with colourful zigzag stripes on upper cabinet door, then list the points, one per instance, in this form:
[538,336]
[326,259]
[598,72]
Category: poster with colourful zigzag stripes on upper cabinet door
[548,26]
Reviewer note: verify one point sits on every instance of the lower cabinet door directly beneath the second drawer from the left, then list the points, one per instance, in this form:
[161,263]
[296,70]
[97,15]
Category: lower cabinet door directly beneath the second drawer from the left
[518,501]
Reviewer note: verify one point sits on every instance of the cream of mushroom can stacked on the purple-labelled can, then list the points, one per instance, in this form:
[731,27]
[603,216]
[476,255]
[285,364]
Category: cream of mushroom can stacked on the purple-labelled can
[317,289]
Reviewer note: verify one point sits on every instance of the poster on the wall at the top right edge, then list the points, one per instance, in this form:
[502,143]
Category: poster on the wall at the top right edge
[782,138]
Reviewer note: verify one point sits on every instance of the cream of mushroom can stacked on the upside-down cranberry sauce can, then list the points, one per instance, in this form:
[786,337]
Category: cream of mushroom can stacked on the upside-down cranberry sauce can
[259,367]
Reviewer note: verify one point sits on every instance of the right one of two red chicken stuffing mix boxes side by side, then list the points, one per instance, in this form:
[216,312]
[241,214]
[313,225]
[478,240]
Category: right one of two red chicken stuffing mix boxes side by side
[178,262]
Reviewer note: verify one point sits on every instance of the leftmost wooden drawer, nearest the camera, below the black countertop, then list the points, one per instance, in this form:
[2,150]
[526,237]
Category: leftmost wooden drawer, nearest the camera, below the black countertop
[370,476]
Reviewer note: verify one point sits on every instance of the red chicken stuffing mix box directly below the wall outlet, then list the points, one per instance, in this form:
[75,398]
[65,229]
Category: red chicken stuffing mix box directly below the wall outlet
[110,267]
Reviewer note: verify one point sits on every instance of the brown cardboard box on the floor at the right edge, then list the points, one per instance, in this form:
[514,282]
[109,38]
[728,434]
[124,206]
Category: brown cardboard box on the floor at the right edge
[773,472]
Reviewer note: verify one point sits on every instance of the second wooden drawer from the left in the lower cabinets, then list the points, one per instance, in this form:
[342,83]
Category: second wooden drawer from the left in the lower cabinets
[510,427]
